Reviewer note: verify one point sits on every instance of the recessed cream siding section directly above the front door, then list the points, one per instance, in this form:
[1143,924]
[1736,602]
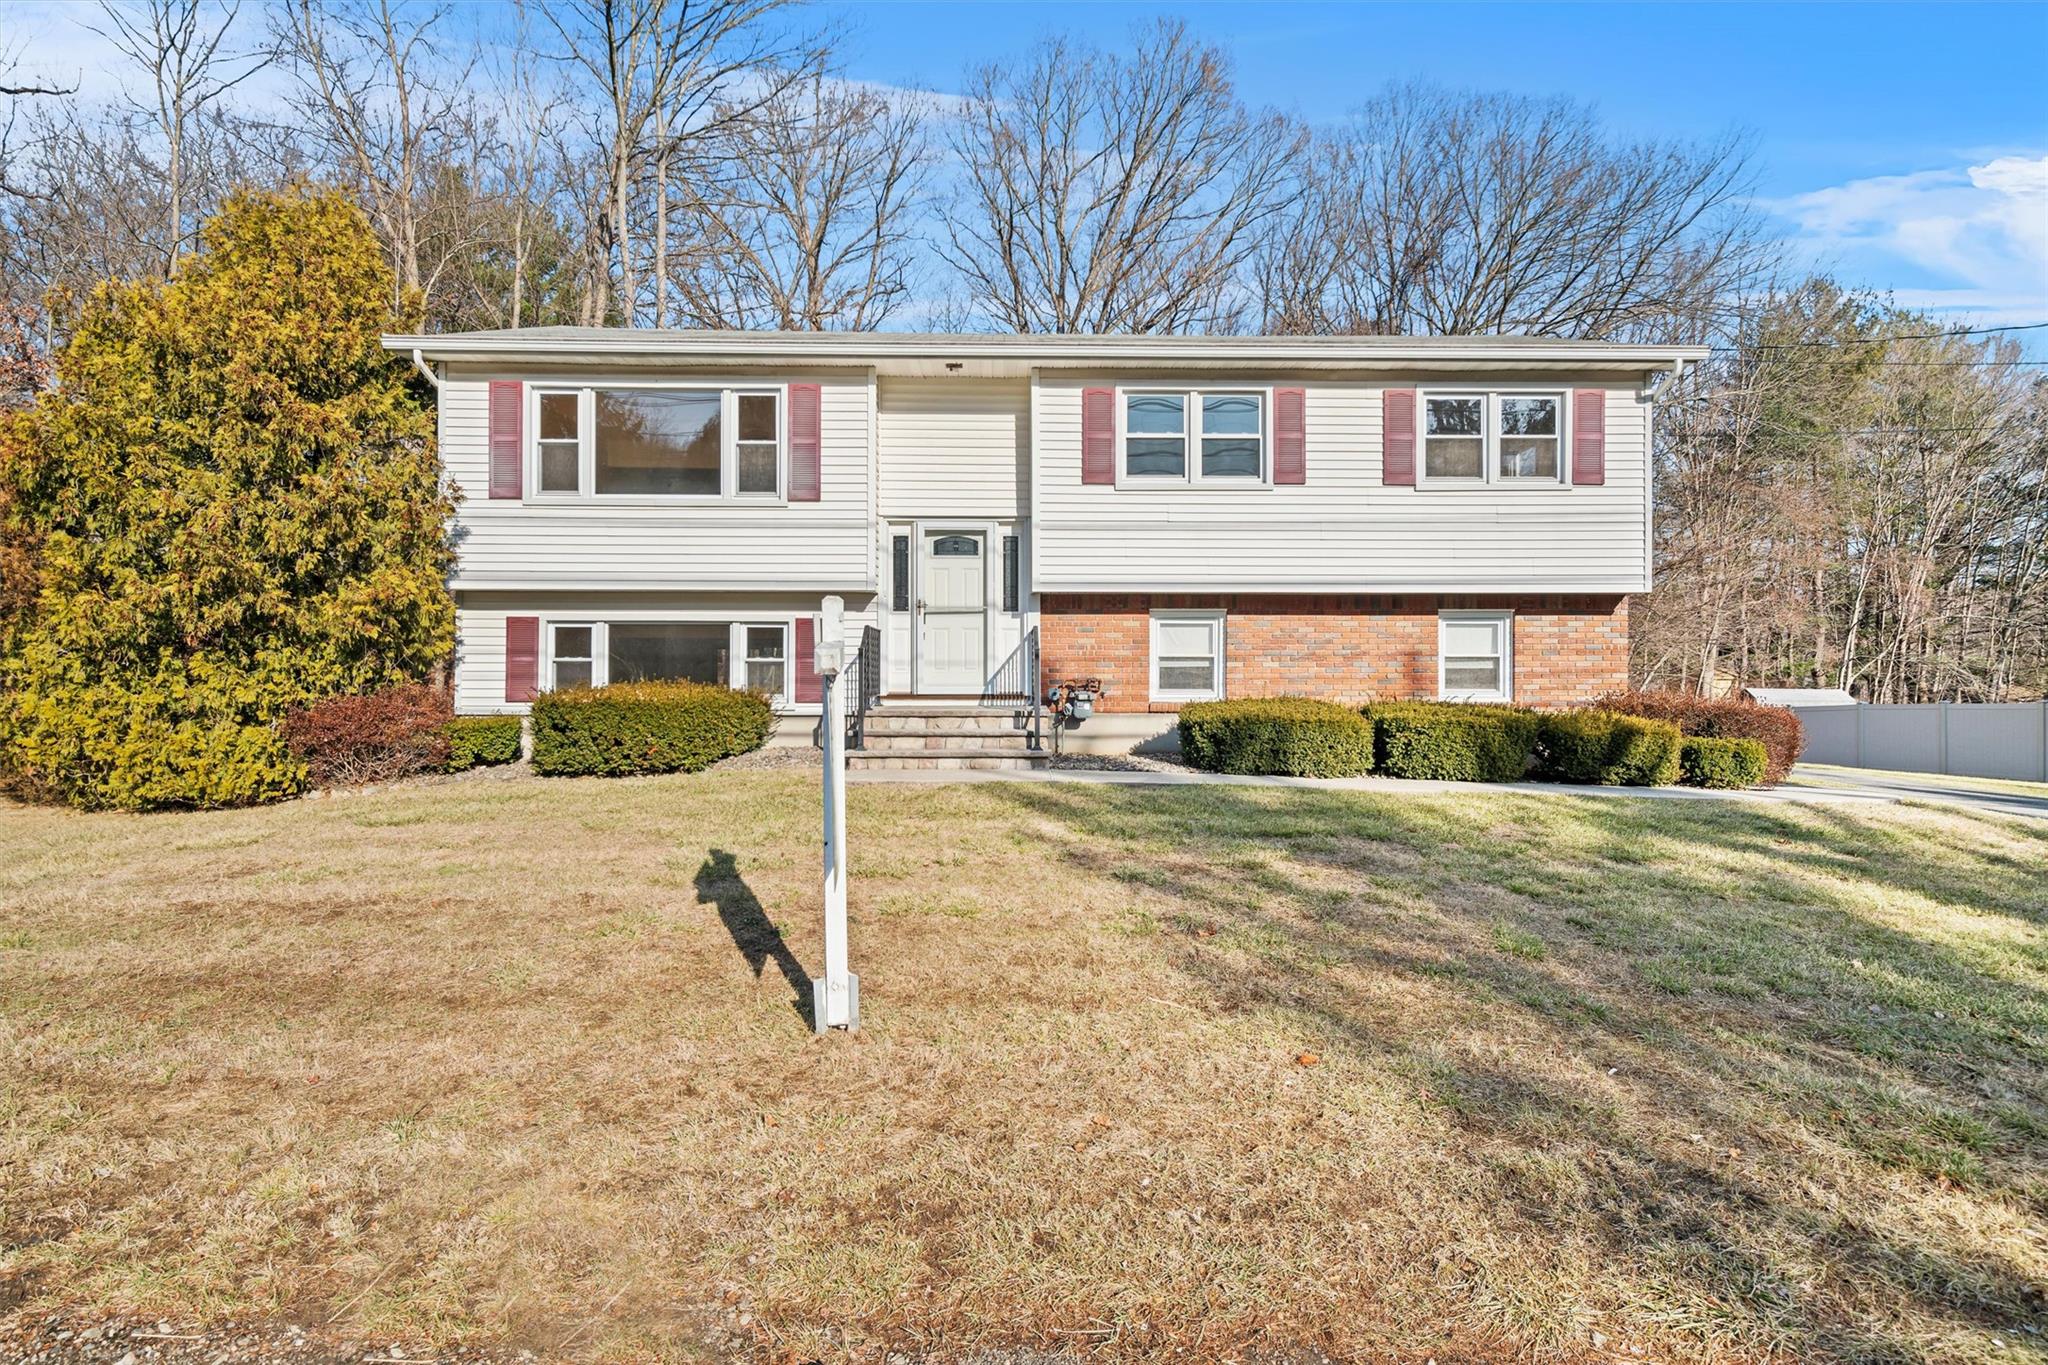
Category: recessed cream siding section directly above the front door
[955,447]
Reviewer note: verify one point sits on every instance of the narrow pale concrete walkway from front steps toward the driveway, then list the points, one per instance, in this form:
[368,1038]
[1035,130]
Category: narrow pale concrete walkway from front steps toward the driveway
[1838,791]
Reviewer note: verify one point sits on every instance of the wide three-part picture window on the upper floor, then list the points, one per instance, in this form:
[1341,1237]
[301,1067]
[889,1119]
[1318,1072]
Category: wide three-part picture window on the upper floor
[669,443]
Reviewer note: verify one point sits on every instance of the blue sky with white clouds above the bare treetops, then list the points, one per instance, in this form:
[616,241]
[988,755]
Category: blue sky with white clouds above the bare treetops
[1904,146]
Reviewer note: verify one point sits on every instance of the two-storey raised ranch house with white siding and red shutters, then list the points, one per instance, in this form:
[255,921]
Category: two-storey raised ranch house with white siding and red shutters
[1181,519]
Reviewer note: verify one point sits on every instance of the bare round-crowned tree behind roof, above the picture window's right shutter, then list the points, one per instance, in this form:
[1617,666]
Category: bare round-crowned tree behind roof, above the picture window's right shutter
[806,218]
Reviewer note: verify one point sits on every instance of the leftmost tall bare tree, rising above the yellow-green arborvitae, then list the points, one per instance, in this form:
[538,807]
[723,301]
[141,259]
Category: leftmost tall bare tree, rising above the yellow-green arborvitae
[181,48]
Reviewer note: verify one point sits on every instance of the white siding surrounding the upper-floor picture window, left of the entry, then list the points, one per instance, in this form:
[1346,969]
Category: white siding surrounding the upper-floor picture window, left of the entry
[728,545]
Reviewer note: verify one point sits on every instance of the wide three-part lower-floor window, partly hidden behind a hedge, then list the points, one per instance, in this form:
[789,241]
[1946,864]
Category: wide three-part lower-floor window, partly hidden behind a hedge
[712,652]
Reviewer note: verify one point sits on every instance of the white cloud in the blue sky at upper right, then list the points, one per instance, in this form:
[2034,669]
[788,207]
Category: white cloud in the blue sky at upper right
[1965,240]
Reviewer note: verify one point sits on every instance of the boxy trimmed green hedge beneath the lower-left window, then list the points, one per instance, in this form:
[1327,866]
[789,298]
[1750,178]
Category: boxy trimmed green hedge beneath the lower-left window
[644,730]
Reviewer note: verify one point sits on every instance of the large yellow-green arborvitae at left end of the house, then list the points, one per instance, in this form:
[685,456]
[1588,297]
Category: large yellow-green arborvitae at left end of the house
[234,507]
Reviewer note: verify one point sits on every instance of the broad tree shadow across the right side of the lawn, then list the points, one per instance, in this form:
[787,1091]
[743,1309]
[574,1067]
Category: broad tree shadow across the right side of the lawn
[1732,961]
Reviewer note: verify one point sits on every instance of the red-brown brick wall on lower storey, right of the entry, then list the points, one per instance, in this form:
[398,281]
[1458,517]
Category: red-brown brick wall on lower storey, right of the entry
[1345,648]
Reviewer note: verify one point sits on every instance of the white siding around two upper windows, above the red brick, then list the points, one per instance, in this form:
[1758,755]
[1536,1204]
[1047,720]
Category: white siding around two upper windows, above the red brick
[1342,531]
